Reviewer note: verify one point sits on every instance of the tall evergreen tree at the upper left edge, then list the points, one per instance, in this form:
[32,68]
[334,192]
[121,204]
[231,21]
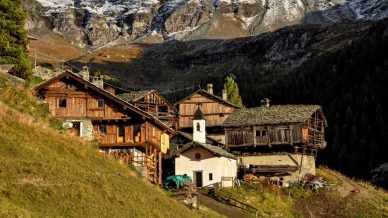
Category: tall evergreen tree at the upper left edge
[13,37]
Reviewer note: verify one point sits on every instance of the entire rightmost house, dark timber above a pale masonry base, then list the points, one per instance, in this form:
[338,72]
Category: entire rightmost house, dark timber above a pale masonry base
[278,143]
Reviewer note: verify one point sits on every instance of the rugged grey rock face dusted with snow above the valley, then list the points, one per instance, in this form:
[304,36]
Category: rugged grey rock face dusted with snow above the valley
[98,22]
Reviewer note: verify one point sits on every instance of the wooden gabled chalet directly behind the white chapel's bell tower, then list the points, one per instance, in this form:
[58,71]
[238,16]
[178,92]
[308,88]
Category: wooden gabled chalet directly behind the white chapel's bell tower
[215,109]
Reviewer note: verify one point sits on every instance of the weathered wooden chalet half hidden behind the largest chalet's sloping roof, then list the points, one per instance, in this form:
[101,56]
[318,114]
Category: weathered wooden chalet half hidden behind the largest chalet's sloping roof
[154,103]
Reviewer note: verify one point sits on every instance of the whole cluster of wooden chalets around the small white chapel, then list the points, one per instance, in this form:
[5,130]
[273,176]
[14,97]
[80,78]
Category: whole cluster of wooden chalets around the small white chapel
[202,136]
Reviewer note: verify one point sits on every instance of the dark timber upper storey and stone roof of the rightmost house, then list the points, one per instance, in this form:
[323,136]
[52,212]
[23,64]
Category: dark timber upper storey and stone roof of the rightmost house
[295,126]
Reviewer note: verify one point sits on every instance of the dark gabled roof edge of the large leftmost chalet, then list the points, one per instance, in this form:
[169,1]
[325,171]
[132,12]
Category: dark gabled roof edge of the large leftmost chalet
[106,94]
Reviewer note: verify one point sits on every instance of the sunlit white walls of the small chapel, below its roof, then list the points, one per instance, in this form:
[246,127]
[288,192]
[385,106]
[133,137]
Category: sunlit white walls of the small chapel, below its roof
[220,167]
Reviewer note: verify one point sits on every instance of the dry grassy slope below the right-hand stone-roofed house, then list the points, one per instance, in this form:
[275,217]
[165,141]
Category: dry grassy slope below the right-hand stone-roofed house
[348,198]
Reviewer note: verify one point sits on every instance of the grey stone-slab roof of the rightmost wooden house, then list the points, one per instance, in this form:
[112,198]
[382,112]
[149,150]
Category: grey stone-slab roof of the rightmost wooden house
[276,114]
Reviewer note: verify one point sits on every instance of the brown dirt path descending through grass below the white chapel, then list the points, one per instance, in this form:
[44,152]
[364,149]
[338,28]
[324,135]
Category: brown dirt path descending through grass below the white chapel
[221,208]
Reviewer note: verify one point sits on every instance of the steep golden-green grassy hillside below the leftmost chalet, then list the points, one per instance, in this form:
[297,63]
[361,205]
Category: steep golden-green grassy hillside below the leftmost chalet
[44,173]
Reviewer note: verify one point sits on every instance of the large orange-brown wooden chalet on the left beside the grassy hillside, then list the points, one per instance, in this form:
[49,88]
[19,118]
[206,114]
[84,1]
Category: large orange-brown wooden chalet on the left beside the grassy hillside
[92,112]
